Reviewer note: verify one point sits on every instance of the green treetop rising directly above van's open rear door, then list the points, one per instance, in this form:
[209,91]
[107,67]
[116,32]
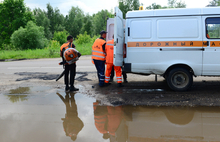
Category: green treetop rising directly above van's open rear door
[128,5]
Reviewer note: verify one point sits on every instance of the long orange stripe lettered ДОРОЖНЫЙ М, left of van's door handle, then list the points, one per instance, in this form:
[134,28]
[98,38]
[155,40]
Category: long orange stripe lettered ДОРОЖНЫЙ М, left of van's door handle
[168,44]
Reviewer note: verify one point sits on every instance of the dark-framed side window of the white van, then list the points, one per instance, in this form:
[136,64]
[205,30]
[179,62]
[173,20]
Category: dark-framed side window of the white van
[213,27]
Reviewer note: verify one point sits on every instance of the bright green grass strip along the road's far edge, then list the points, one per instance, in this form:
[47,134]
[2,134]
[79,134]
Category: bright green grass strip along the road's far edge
[48,52]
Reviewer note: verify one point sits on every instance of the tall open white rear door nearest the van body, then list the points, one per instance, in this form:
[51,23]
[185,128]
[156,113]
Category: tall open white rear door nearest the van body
[118,37]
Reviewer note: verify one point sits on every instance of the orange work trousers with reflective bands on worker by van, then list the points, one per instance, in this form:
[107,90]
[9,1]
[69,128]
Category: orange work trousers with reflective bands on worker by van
[108,73]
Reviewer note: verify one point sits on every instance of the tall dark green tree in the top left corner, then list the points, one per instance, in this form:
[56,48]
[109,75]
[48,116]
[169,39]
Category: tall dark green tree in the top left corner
[13,14]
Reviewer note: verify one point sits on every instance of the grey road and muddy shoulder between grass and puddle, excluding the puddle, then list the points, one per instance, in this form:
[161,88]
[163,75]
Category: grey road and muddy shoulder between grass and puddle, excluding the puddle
[140,90]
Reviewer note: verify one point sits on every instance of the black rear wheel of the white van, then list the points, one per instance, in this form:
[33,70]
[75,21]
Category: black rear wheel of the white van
[179,79]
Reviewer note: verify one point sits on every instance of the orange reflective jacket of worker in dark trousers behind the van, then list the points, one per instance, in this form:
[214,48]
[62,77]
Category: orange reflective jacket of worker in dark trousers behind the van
[97,50]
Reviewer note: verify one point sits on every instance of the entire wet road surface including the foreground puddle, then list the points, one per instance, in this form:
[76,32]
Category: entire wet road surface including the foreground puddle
[34,107]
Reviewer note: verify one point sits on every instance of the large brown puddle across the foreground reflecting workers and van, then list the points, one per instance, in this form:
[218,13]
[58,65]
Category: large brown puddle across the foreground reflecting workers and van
[53,115]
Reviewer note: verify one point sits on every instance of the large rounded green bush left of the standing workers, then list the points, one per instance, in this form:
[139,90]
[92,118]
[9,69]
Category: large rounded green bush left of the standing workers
[30,37]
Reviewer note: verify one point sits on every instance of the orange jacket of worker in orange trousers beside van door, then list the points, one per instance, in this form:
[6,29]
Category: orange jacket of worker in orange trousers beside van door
[109,48]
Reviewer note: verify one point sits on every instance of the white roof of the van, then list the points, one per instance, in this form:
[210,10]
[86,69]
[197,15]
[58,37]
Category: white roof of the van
[173,12]
